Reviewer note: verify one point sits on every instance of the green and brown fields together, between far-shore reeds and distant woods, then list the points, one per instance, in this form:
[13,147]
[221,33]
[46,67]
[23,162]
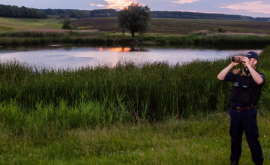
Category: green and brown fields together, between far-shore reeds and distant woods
[158,25]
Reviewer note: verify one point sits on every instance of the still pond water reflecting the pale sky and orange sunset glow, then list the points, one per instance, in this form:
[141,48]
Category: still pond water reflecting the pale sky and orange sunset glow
[74,57]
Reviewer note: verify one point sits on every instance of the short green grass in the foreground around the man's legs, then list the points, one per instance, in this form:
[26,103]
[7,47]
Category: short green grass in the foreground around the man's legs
[193,141]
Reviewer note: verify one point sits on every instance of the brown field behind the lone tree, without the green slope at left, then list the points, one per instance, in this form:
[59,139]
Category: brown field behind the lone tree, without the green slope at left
[178,26]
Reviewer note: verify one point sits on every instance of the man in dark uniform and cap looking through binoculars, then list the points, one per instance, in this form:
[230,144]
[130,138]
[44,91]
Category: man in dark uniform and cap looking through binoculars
[245,93]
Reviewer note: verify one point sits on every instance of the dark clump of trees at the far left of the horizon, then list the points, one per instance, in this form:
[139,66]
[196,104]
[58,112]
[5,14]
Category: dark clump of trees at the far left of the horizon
[20,12]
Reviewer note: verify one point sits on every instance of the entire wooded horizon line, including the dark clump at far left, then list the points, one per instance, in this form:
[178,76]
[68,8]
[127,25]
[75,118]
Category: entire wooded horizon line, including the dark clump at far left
[24,12]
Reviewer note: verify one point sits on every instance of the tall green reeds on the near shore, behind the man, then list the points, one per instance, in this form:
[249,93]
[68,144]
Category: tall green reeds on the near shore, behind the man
[91,96]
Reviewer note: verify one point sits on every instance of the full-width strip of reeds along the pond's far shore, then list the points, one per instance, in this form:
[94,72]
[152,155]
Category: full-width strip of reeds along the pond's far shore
[97,38]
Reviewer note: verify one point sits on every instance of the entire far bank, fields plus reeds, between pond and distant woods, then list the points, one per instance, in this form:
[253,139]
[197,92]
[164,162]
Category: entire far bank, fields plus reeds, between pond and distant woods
[105,32]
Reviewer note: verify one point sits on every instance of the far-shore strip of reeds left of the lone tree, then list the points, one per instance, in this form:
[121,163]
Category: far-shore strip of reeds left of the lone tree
[88,38]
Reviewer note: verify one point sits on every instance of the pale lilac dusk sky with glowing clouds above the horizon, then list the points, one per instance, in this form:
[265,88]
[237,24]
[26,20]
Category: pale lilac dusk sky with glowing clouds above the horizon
[259,8]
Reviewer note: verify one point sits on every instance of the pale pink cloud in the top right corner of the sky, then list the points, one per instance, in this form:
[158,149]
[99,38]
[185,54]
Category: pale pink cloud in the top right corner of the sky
[254,7]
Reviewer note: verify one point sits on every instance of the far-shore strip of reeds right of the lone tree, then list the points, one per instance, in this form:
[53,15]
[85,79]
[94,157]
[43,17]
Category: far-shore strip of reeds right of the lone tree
[212,41]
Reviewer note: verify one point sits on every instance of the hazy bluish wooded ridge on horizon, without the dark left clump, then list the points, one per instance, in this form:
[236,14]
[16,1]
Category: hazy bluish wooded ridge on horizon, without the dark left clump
[155,14]
